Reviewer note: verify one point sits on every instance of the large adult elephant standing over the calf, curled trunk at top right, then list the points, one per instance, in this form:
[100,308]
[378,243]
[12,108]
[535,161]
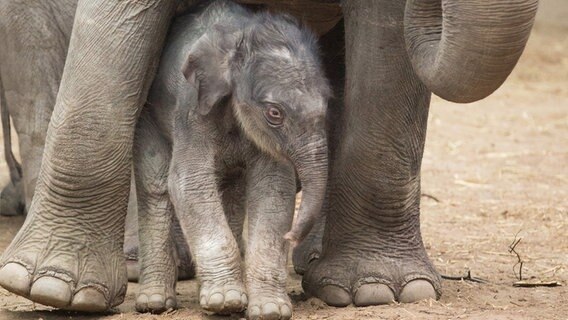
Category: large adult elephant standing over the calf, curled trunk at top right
[68,254]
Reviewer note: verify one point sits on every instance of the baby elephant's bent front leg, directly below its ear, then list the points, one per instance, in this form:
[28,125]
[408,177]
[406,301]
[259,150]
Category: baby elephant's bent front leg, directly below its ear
[195,193]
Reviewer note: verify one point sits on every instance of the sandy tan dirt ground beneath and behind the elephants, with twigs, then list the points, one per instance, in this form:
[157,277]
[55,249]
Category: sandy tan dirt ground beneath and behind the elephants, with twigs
[493,171]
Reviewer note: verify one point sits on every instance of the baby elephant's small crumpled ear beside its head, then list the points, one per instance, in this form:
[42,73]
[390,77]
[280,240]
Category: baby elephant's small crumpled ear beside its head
[208,67]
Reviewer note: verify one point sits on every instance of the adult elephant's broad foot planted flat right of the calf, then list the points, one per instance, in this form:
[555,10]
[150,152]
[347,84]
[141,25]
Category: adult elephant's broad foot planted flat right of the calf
[345,278]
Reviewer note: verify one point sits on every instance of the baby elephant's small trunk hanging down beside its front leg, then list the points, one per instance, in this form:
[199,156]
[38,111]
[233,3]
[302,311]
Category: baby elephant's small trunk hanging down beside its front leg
[311,163]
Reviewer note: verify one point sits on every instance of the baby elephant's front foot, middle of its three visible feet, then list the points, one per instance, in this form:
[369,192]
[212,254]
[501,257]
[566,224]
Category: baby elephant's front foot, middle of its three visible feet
[223,299]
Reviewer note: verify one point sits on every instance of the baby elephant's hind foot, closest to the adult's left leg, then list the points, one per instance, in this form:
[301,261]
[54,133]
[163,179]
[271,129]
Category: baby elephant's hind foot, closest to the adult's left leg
[155,300]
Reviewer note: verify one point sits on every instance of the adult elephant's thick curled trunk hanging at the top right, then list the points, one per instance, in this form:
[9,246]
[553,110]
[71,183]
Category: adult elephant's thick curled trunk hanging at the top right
[464,50]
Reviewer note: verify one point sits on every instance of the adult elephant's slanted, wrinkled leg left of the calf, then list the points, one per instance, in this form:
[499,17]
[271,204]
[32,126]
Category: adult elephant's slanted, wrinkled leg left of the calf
[68,254]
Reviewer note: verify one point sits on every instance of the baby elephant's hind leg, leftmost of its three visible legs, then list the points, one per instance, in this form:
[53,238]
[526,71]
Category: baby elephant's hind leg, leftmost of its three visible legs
[158,267]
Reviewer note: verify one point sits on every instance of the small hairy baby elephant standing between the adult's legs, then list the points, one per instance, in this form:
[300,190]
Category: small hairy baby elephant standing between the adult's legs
[235,113]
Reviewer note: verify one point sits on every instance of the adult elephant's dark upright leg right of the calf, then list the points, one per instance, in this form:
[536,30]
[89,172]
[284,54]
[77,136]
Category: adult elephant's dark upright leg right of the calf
[372,247]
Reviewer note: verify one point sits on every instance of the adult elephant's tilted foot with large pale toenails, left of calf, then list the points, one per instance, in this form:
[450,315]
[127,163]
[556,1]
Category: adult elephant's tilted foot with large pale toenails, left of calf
[53,265]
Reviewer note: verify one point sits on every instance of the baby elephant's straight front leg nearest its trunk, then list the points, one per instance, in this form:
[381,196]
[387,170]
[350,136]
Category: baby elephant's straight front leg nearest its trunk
[271,191]
